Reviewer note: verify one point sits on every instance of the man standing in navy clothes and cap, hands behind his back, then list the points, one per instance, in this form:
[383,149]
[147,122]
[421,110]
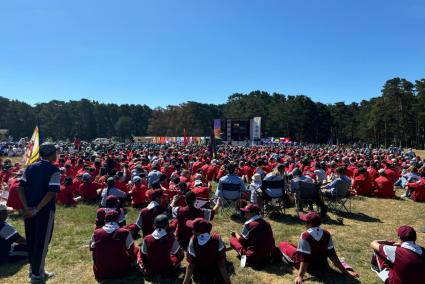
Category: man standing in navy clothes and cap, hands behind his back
[38,188]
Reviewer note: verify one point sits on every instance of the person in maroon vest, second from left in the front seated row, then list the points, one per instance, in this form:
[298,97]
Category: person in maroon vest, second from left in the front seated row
[160,252]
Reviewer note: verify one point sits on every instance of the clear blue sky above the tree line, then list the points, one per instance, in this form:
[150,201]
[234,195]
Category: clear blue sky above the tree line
[164,52]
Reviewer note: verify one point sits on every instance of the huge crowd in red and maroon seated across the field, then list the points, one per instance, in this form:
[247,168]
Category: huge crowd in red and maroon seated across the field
[179,190]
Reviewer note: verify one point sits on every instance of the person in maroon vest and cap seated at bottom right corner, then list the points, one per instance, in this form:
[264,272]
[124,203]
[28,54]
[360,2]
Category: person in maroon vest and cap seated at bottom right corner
[399,262]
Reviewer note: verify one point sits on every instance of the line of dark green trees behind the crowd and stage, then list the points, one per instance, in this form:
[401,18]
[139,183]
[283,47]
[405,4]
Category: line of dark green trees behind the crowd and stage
[396,116]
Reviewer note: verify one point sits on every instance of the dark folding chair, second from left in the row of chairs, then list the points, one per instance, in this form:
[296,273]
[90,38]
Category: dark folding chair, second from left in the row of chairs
[273,204]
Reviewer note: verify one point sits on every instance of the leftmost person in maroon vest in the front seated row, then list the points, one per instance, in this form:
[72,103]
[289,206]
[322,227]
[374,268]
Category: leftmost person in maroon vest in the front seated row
[114,251]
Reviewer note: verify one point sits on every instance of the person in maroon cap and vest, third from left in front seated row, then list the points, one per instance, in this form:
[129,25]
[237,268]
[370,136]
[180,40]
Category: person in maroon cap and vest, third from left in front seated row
[206,255]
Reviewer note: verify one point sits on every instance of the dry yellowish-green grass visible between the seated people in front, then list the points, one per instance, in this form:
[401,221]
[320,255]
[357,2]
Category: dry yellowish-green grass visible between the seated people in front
[70,258]
